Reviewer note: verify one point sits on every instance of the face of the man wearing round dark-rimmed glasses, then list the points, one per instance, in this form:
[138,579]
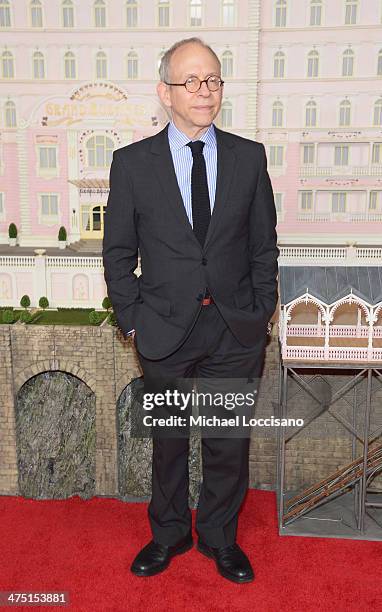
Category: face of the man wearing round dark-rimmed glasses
[191,111]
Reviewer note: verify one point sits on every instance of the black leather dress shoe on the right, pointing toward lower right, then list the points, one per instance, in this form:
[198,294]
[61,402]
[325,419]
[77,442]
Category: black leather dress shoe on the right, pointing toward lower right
[231,562]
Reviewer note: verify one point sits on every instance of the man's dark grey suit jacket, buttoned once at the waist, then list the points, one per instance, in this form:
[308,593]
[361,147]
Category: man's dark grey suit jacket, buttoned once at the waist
[238,263]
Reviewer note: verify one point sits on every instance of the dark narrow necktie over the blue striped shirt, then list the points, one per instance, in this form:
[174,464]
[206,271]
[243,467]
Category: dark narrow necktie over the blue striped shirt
[201,211]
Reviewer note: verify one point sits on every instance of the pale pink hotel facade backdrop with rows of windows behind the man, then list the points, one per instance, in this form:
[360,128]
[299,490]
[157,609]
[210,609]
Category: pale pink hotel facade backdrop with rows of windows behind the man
[77,80]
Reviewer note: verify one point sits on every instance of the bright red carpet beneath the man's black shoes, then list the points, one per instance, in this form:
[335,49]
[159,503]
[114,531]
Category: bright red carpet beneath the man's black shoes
[86,547]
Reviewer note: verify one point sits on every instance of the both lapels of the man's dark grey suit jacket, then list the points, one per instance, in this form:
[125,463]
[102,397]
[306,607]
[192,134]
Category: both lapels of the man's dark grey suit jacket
[164,169]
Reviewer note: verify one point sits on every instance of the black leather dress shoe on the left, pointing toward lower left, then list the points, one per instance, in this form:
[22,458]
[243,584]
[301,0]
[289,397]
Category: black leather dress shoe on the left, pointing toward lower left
[155,557]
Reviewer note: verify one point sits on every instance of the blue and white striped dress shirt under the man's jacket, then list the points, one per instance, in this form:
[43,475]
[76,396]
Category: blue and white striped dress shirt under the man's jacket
[182,158]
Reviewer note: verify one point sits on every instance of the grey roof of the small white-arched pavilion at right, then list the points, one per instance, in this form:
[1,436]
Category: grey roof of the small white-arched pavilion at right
[330,283]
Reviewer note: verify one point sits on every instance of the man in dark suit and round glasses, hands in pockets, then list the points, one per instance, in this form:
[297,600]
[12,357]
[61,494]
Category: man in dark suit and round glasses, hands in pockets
[198,204]
